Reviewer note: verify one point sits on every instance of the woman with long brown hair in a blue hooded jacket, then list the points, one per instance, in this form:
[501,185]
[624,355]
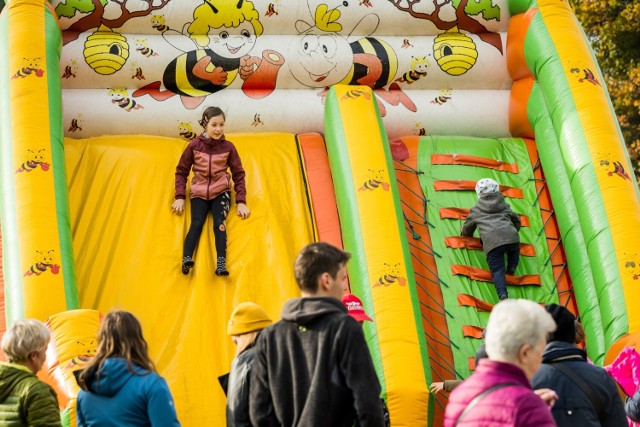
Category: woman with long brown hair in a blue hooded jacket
[120,385]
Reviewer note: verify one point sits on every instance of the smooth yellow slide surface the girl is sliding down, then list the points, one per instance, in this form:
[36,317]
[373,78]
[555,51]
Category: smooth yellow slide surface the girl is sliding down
[128,250]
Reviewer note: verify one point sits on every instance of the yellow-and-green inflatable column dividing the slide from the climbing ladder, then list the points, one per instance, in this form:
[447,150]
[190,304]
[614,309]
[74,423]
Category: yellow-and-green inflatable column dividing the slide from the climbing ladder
[380,272]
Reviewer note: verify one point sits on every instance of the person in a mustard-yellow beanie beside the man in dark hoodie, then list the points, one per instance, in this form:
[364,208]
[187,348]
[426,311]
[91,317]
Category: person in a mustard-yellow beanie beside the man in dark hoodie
[247,320]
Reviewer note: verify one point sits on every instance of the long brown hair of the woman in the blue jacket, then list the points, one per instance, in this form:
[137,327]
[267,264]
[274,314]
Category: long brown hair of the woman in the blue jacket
[120,335]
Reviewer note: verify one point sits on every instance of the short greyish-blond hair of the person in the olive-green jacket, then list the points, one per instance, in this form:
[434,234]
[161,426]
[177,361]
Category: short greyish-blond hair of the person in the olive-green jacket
[23,338]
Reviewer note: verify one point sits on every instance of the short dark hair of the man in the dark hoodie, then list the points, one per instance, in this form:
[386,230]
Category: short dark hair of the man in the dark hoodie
[316,259]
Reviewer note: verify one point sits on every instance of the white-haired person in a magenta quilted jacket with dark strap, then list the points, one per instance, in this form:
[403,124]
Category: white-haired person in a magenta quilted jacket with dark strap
[499,392]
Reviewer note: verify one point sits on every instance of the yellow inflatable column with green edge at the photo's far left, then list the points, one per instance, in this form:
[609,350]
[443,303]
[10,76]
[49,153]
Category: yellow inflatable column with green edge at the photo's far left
[38,261]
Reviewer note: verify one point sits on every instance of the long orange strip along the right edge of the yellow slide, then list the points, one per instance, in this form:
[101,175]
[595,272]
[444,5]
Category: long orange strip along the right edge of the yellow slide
[319,180]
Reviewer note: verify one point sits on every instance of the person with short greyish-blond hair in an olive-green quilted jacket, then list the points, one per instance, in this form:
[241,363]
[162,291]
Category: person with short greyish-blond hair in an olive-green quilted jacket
[24,399]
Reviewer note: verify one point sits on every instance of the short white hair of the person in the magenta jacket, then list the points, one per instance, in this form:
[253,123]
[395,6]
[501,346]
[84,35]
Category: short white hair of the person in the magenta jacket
[514,323]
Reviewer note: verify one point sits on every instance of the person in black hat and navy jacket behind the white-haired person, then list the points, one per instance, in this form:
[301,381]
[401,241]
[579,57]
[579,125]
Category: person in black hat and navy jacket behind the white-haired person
[595,402]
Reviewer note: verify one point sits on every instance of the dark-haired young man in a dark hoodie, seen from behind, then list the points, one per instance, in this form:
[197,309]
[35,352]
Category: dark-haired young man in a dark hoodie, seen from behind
[313,367]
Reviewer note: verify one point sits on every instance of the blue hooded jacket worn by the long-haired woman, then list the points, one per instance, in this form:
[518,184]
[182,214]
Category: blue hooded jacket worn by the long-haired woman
[119,397]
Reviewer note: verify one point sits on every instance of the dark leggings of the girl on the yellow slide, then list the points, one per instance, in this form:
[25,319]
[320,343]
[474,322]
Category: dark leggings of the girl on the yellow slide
[200,208]
